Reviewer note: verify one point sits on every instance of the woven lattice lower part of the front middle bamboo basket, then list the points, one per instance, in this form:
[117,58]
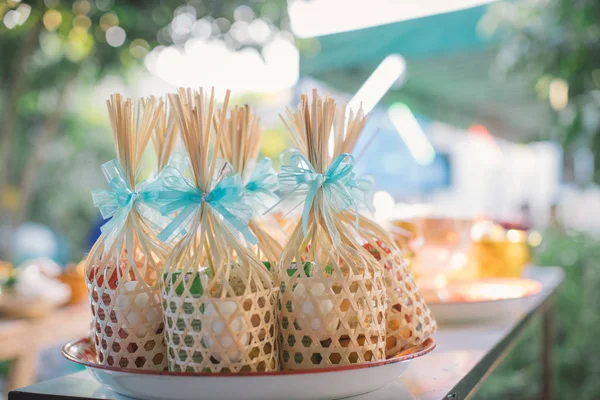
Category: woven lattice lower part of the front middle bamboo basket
[229,334]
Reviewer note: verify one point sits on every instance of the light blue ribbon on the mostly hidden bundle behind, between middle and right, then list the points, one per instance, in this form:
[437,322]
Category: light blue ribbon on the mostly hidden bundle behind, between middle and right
[258,190]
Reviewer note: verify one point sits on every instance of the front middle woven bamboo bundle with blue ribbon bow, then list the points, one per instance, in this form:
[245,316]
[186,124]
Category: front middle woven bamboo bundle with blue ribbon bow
[219,302]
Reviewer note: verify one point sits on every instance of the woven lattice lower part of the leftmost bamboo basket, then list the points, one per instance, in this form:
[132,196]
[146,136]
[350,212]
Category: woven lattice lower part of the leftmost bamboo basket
[127,324]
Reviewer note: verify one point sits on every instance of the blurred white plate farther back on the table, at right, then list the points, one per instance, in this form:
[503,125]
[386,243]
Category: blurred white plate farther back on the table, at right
[481,300]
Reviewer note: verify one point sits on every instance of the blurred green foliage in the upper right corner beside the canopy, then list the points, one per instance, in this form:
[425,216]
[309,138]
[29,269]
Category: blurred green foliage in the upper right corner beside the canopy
[555,43]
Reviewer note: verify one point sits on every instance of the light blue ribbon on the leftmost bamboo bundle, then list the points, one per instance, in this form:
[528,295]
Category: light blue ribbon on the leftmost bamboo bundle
[119,201]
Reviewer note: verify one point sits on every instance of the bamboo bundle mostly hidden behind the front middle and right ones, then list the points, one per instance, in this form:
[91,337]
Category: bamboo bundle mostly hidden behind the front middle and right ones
[239,146]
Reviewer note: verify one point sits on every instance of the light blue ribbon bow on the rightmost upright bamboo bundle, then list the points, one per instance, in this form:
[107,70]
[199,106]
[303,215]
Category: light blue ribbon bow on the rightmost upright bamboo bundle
[341,189]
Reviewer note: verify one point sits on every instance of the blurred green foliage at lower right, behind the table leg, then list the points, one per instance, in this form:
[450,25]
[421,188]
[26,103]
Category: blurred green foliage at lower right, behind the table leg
[577,328]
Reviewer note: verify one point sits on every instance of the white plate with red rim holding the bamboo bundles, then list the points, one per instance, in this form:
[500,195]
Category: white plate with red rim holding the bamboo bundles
[331,383]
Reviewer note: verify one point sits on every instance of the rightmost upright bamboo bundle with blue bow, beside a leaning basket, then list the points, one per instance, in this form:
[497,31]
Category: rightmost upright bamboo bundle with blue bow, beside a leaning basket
[332,302]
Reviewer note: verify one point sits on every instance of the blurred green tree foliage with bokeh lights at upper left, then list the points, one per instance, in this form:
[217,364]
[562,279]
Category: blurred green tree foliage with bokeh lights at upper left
[54,53]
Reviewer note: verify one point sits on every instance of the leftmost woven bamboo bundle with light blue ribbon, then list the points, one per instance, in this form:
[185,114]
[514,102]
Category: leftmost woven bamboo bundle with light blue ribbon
[123,265]
